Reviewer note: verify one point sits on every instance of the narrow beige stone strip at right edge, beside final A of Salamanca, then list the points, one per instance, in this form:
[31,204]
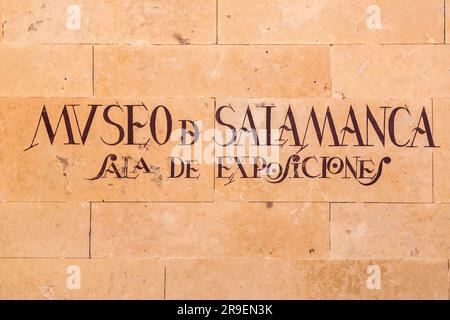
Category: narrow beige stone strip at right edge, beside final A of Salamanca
[442,154]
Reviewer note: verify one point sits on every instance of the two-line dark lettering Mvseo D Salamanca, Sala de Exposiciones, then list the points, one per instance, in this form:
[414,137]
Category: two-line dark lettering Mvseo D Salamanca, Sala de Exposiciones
[243,137]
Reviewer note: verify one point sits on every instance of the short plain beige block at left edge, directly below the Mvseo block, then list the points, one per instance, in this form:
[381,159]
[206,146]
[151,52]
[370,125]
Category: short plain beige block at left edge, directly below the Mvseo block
[44,230]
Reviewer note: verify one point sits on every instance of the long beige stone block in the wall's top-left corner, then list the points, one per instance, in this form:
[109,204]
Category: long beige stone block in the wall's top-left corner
[106,21]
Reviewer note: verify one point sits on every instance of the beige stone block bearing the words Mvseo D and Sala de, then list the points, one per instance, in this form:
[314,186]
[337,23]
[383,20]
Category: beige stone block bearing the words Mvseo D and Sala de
[108,160]
